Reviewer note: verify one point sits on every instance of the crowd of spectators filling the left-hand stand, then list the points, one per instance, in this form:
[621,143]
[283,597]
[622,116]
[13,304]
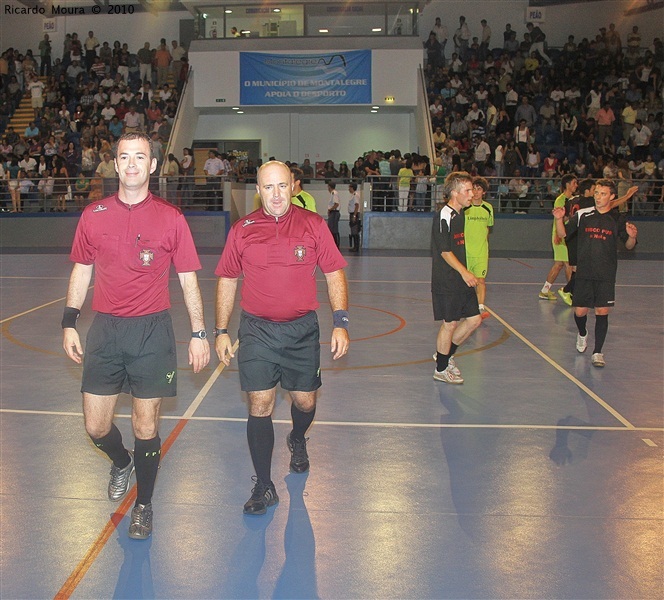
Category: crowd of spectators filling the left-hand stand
[82,102]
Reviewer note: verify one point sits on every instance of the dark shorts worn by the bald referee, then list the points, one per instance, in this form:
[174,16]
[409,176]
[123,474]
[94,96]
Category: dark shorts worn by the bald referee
[287,353]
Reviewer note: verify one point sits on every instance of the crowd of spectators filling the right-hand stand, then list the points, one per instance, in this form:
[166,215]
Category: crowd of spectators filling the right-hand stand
[527,113]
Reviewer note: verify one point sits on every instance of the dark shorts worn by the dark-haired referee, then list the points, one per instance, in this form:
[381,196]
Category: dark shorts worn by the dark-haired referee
[134,355]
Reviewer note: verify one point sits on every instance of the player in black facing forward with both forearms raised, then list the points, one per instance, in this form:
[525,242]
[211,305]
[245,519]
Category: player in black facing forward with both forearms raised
[597,230]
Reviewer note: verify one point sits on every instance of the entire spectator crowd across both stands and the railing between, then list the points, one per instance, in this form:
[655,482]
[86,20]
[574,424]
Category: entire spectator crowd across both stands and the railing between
[517,112]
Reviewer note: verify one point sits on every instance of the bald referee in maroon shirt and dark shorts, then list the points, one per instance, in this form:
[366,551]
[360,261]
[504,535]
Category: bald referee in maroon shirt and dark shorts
[278,249]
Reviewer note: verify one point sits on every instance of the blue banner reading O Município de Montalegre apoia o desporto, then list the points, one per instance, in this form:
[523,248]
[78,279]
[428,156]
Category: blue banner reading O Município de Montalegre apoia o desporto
[322,78]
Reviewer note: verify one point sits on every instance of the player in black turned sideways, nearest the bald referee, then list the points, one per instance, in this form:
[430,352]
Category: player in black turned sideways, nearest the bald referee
[452,284]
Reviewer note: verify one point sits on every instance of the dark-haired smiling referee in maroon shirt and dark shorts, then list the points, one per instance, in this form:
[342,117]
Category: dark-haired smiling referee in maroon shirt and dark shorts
[130,240]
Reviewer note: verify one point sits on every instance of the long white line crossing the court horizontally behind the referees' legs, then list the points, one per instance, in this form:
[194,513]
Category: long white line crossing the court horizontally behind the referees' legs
[385,425]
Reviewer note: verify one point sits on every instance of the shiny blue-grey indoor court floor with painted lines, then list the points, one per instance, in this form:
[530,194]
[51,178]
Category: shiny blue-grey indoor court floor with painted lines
[539,477]
